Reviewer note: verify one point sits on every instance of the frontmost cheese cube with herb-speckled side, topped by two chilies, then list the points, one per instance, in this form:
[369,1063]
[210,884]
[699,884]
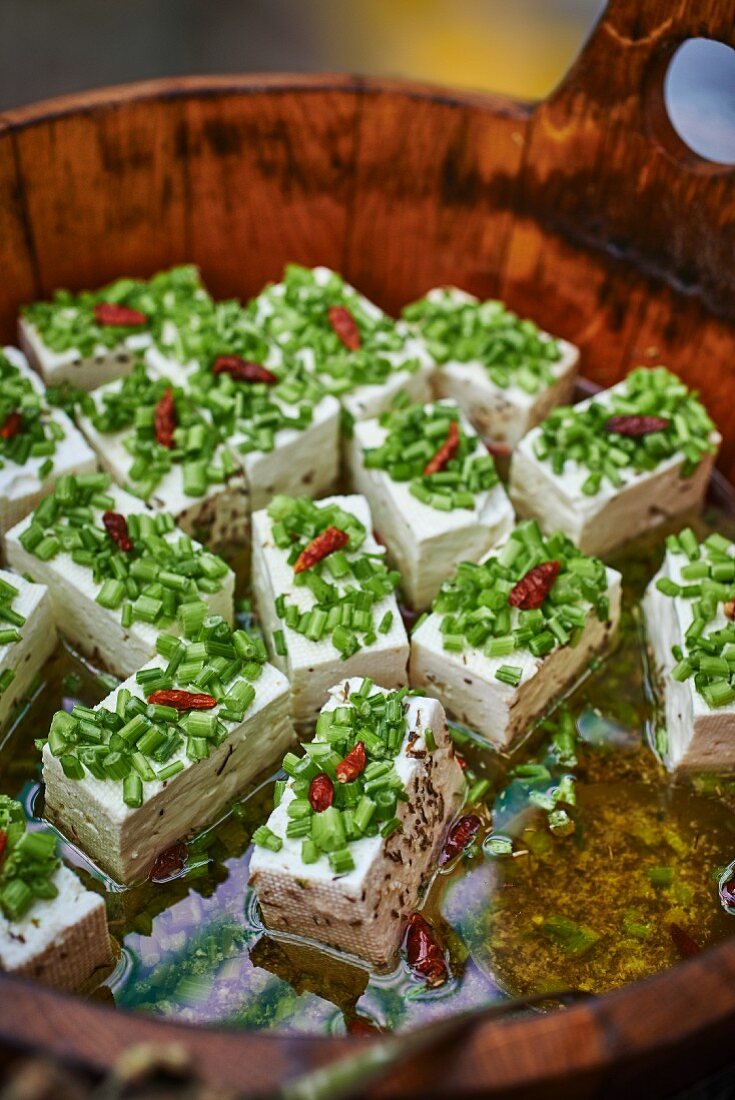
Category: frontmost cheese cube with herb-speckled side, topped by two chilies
[364,912]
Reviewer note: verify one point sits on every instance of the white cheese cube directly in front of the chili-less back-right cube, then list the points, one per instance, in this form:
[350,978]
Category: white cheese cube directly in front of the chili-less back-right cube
[425,544]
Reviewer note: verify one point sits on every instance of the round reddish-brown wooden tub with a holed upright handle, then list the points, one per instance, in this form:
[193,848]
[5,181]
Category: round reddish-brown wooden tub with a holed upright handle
[585,212]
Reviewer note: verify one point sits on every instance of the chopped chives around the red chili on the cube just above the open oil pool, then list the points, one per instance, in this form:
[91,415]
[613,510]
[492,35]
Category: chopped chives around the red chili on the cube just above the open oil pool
[477,611]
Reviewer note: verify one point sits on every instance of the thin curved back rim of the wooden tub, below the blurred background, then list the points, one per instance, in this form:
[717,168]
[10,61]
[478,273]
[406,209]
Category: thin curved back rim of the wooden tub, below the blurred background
[202,87]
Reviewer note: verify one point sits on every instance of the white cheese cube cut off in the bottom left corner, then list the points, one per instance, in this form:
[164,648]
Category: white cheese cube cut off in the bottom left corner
[61,942]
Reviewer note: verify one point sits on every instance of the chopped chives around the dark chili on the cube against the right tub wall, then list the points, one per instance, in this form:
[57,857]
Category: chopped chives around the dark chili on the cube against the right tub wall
[582,436]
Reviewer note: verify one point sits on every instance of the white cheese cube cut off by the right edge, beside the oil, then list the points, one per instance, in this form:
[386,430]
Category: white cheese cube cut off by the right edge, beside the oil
[700,738]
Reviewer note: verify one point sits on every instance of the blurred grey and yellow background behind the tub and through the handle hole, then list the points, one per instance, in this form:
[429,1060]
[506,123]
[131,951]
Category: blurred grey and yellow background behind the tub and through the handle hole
[521,48]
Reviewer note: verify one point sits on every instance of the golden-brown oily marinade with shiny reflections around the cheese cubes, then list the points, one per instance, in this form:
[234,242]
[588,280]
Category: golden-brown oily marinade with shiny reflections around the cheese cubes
[588,907]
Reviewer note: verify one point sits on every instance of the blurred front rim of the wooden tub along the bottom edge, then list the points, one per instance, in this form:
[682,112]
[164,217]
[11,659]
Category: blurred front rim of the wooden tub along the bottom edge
[609,1038]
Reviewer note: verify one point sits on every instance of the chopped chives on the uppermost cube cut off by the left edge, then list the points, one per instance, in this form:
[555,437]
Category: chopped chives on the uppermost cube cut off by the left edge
[27,431]
